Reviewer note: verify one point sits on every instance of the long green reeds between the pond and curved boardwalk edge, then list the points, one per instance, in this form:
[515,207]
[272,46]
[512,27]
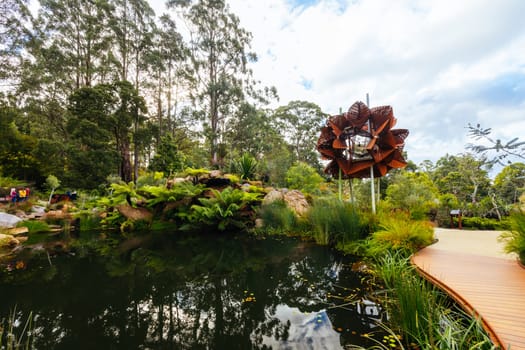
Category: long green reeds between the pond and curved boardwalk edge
[423,313]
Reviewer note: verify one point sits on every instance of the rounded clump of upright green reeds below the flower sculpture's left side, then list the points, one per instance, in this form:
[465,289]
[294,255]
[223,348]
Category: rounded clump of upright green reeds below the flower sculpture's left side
[333,221]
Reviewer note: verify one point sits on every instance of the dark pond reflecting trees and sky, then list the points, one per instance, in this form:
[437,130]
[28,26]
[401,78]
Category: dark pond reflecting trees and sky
[188,292]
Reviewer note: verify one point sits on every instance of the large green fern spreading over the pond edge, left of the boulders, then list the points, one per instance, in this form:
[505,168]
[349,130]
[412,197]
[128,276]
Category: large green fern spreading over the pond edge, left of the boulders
[224,209]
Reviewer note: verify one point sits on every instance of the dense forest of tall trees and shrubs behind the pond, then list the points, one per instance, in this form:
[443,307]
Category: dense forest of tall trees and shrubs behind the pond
[102,89]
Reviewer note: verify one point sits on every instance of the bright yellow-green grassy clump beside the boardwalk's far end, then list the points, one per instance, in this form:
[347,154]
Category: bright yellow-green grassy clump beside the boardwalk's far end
[397,232]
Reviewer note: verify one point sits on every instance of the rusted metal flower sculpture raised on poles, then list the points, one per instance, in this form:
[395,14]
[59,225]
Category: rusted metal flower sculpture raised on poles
[362,138]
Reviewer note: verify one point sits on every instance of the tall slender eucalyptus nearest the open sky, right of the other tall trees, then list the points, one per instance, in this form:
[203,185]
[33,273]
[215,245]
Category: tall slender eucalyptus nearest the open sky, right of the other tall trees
[218,71]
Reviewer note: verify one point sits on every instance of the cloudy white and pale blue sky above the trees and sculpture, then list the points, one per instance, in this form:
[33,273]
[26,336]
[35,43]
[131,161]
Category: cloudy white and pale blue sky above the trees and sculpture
[441,64]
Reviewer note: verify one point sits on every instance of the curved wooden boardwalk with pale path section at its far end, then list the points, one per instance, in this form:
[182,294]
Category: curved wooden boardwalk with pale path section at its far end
[470,267]
